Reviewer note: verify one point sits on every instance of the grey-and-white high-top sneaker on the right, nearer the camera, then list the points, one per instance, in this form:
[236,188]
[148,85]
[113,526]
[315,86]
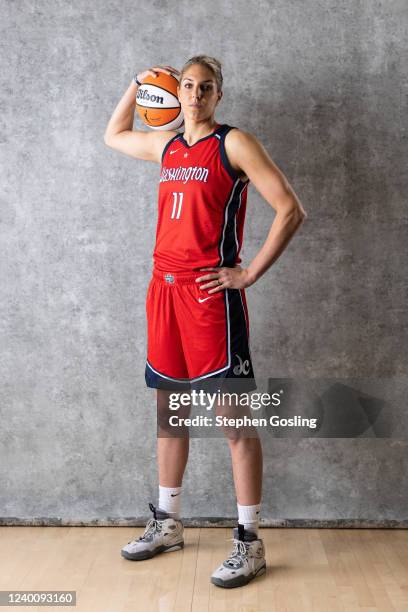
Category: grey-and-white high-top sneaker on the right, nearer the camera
[246,561]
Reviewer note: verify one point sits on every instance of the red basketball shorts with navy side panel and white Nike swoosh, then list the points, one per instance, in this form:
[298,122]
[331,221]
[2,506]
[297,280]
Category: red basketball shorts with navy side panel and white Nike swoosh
[194,336]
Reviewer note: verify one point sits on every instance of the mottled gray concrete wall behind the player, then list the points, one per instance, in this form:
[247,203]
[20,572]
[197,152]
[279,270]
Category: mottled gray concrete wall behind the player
[324,86]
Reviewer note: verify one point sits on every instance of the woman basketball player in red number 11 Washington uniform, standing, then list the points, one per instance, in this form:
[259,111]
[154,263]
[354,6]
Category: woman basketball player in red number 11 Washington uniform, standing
[197,319]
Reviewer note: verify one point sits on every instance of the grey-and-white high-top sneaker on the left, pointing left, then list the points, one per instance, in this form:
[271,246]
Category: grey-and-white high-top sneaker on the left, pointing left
[162,534]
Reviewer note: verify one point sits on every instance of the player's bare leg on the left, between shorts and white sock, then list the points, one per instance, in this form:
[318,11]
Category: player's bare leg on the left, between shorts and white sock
[172,445]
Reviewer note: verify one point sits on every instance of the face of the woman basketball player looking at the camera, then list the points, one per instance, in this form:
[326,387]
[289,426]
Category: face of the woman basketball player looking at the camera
[197,92]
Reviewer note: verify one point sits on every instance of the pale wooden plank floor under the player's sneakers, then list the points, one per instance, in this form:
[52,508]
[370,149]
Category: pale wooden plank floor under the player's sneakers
[307,569]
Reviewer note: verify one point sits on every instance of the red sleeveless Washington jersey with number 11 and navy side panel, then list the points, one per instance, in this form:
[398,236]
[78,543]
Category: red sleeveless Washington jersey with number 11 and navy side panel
[202,203]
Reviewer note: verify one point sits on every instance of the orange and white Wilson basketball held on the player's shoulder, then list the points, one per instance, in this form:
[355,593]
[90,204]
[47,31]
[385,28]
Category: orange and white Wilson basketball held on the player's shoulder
[157,102]
